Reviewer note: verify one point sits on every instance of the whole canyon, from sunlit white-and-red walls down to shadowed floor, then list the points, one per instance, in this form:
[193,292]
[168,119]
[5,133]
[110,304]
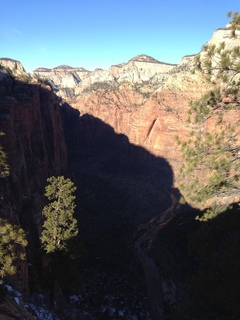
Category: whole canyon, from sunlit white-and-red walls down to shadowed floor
[114,133]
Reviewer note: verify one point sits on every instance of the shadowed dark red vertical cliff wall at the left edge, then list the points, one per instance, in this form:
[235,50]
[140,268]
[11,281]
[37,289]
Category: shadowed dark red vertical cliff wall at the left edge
[35,144]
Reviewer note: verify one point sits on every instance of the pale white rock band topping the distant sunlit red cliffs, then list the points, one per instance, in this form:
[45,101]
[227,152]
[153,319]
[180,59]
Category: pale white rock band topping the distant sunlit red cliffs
[138,70]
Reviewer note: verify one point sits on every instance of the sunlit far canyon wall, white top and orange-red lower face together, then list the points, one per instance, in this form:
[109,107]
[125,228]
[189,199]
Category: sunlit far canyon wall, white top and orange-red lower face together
[144,99]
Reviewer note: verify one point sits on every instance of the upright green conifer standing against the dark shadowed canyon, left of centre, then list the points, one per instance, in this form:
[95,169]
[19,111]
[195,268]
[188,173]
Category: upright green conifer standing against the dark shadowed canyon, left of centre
[59,226]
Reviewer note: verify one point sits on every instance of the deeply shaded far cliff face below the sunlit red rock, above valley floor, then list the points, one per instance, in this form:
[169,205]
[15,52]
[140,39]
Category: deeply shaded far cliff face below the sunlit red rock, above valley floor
[94,144]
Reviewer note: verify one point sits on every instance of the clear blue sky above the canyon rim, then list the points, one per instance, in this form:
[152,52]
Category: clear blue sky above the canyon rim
[100,33]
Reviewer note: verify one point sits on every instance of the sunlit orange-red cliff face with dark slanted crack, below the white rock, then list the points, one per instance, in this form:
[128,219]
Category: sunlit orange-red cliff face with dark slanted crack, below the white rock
[151,120]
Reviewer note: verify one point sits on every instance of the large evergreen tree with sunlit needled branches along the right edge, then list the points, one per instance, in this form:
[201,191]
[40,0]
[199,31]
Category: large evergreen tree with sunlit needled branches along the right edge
[210,170]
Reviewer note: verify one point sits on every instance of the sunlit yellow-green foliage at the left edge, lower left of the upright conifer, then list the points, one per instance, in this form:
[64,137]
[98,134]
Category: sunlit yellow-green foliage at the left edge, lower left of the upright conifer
[12,242]
